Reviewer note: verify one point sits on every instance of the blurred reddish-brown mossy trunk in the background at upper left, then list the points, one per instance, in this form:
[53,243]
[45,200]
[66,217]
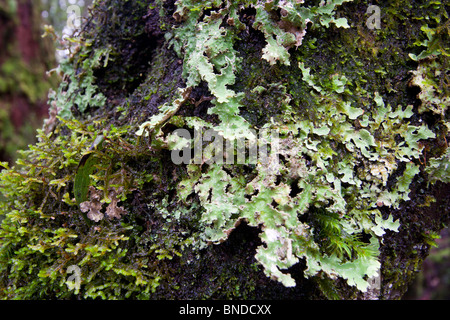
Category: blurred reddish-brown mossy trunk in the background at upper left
[24,59]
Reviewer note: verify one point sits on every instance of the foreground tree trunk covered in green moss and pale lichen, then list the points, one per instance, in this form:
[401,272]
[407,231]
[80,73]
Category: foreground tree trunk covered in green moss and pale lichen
[349,210]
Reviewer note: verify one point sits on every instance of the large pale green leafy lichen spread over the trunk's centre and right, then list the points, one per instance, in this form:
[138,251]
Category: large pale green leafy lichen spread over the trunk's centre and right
[267,202]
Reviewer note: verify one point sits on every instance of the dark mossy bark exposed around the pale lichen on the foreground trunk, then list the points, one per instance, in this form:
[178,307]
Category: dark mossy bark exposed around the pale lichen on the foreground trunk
[143,72]
